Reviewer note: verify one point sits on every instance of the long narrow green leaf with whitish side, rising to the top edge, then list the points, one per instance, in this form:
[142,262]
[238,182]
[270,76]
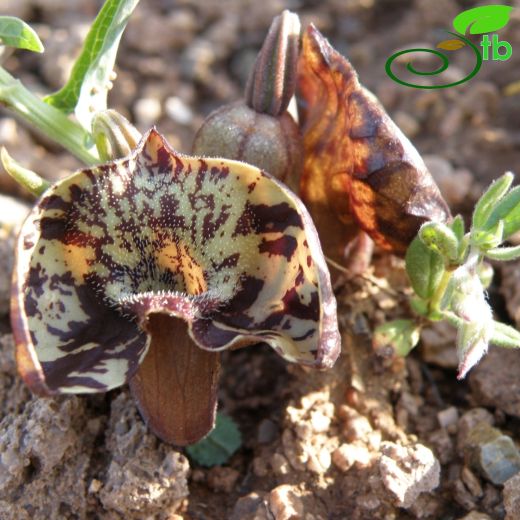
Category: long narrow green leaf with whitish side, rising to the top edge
[86,90]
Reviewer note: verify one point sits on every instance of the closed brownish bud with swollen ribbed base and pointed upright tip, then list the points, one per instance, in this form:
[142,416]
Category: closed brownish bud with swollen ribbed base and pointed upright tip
[259,130]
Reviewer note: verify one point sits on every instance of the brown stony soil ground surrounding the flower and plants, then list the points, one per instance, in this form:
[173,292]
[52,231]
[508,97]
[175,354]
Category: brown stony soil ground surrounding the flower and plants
[376,437]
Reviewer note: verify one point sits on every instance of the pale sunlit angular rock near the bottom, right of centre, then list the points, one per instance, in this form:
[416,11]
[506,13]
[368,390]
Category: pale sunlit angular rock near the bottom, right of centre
[408,471]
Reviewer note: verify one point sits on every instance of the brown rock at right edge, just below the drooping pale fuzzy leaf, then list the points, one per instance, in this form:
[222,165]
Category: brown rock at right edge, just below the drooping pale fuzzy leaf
[494,382]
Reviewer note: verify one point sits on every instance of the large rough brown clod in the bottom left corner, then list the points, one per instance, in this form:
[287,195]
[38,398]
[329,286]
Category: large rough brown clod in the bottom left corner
[45,447]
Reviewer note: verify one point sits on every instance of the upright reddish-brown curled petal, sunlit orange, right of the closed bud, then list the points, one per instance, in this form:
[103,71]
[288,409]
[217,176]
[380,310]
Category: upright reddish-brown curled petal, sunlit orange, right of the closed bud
[357,162]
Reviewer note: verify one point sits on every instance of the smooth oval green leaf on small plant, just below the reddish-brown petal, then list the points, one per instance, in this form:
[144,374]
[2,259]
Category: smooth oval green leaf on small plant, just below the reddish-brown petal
[424,268]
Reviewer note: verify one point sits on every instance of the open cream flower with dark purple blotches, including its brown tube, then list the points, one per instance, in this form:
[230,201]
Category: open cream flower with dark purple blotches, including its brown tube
[144,268]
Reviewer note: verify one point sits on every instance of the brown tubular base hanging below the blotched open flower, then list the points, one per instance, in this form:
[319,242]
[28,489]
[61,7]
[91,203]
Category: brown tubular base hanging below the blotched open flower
[176,384]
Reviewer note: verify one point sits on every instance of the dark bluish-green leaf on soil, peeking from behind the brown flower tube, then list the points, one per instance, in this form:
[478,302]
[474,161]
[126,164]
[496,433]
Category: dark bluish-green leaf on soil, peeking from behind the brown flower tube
[219,445]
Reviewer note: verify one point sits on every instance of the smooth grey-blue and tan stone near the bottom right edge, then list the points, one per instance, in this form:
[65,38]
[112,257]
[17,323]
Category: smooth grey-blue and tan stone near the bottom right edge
[491,453]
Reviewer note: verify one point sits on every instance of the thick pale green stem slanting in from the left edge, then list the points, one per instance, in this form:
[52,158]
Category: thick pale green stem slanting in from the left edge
[47,119]
